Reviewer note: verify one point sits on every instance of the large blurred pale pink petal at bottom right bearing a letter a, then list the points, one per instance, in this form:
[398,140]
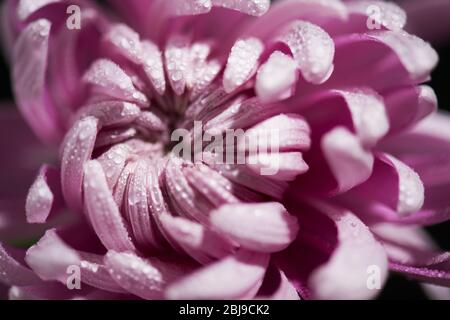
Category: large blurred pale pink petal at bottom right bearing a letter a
[345,275]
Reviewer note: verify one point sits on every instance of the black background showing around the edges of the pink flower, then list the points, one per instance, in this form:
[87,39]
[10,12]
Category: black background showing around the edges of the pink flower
[398,287]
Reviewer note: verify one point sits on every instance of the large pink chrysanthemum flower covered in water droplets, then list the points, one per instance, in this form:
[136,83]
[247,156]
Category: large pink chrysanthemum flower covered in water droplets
[362,159]
